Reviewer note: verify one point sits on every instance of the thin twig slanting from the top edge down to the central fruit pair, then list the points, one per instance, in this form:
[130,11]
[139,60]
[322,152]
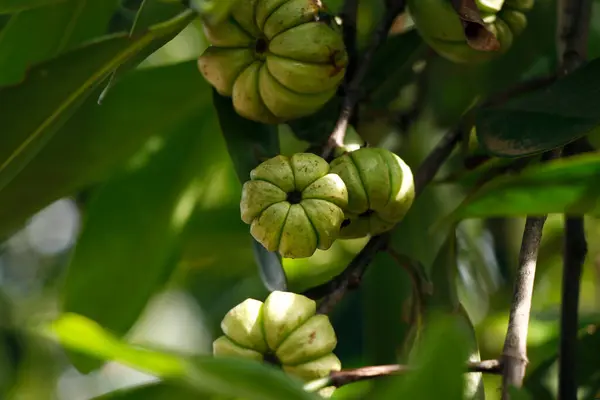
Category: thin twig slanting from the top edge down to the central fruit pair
[353,92]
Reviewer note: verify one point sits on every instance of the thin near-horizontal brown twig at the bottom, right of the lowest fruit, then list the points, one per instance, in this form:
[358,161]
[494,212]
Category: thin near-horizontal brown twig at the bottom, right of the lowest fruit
[345,377]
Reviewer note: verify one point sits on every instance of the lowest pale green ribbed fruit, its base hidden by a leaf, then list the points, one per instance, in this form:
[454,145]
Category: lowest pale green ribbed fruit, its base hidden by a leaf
[284,330]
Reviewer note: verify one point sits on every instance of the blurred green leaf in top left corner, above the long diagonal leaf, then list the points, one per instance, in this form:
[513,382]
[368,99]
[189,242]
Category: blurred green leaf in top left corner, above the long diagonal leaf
[48,31]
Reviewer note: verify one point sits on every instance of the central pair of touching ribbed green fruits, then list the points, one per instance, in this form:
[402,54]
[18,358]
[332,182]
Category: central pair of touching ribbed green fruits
[301,203]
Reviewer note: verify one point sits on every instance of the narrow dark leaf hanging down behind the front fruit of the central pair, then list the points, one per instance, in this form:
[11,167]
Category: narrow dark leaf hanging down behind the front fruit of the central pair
[250,143]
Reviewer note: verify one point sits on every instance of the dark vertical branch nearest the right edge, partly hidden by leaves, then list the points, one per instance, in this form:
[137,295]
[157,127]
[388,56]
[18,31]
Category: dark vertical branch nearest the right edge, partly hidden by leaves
[573,29]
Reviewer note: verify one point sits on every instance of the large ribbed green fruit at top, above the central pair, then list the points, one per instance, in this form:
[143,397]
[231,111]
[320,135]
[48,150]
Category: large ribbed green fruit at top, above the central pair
[277,59]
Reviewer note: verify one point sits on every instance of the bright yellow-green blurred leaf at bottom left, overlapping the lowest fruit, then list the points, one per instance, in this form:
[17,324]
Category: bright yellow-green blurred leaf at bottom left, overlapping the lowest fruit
[223,376]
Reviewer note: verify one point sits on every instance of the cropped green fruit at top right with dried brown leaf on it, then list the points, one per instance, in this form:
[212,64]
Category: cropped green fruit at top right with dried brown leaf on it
[441,28]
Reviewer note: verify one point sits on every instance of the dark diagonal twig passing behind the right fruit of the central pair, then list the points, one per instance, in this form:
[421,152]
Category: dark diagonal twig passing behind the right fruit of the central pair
[333,291]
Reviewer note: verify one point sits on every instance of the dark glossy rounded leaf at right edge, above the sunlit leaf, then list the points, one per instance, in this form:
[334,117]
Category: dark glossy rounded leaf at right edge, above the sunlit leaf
[544,119]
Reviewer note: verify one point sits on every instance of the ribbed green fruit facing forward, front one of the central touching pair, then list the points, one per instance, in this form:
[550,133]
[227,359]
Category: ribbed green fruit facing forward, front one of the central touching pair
[294,205]
